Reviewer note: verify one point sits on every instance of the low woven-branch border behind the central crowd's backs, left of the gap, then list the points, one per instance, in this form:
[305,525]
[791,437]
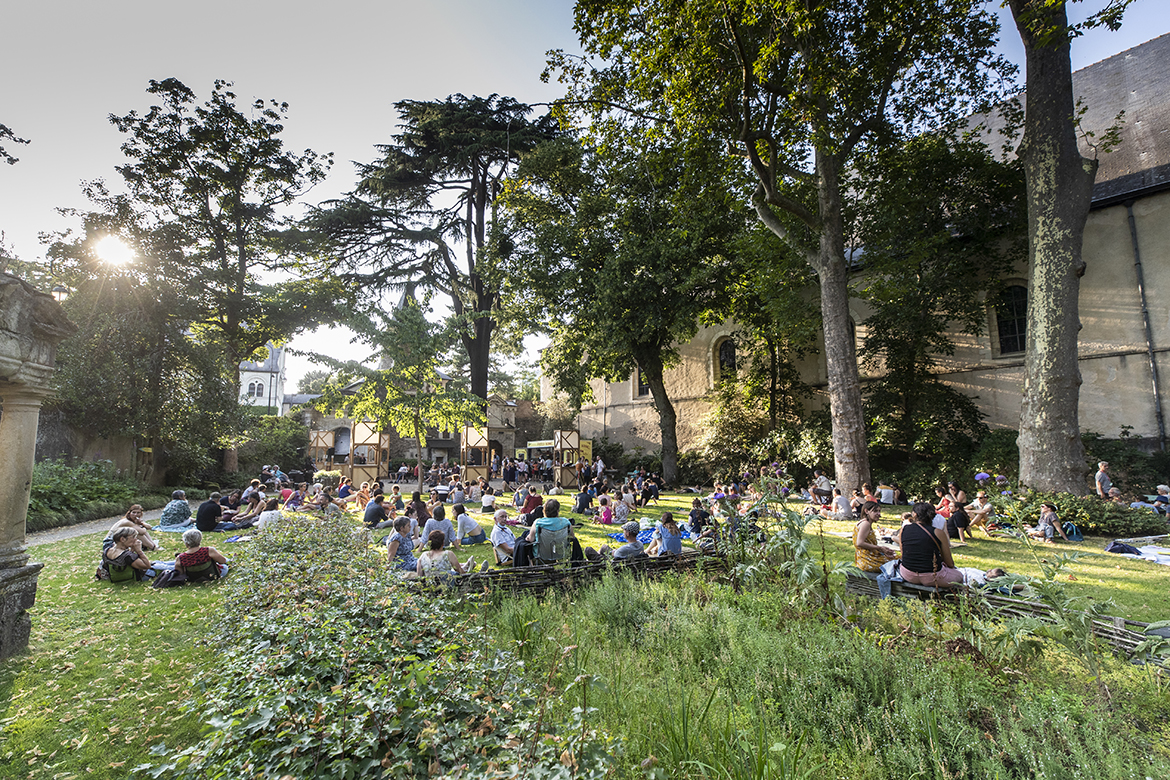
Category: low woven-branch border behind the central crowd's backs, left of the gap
[538,581]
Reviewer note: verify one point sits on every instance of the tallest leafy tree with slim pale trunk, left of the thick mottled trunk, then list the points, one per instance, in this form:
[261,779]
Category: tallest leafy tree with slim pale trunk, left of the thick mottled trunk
[797,89]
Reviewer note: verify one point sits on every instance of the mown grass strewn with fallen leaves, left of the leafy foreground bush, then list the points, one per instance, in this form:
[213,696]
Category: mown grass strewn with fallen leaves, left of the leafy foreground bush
[105,673]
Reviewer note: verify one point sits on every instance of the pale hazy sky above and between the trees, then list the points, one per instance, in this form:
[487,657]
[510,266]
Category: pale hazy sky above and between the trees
[68,65]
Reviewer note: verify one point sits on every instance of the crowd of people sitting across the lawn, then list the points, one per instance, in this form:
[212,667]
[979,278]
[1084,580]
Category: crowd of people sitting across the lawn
[424,531]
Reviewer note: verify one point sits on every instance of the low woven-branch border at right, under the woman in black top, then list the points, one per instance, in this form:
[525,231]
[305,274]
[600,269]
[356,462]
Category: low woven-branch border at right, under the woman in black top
[1123,636]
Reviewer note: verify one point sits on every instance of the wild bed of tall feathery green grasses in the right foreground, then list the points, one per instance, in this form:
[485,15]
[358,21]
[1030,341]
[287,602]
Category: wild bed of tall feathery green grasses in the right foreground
[831,700]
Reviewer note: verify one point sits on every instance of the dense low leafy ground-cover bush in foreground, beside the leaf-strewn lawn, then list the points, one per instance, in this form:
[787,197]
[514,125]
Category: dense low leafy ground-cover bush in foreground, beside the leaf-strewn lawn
[334,668]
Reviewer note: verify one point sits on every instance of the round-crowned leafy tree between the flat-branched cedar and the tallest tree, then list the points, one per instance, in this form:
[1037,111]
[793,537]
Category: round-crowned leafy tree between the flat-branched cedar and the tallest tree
[621,252]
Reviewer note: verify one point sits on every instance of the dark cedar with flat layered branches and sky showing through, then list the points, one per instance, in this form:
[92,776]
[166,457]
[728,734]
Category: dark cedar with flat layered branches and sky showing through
[425,212]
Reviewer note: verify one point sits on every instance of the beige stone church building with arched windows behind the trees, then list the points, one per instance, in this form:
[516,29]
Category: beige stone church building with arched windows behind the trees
[1125,301]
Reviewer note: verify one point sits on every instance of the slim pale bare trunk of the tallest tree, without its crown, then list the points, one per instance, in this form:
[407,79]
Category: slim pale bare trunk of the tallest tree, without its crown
[851,451]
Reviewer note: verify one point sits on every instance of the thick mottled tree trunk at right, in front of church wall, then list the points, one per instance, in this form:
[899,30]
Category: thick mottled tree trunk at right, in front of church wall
[1059,194]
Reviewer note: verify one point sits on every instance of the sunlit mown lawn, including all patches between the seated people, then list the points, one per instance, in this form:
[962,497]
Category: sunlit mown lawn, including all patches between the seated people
[109,665]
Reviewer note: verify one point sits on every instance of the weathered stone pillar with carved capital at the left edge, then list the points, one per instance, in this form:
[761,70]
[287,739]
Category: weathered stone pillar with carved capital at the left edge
[31,327]
